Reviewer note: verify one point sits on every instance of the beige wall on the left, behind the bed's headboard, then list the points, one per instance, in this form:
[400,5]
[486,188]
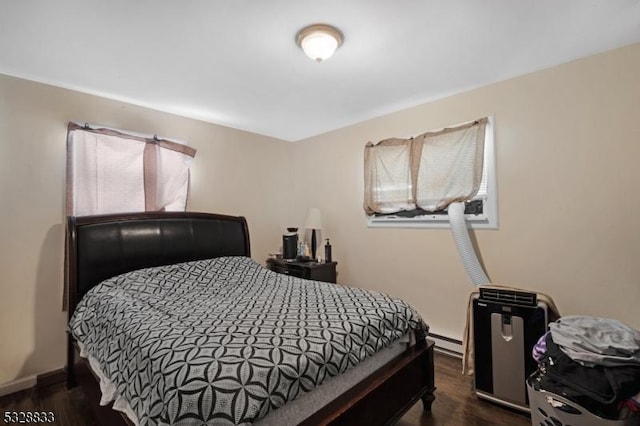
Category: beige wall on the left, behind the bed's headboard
[234,172]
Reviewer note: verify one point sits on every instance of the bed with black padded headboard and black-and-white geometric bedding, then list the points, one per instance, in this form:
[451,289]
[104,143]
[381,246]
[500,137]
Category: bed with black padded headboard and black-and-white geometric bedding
[101,250]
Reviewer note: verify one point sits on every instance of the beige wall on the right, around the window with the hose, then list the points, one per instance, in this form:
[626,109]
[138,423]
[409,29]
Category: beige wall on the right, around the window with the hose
[568,144]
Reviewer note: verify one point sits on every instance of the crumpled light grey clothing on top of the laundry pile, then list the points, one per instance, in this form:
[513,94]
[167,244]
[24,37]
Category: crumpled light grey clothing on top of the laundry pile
[597,341]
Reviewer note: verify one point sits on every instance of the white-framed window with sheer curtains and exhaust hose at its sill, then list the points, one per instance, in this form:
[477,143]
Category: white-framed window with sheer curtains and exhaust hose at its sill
[399,177]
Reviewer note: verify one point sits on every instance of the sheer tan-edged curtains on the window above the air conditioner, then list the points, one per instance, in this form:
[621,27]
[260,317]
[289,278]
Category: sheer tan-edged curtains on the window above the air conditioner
[429,171]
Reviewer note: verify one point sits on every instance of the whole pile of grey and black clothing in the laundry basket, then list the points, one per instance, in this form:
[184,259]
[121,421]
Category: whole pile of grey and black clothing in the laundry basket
[594,362]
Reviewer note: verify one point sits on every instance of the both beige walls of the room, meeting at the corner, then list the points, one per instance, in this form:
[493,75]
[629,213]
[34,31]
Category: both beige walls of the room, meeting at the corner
[568,140]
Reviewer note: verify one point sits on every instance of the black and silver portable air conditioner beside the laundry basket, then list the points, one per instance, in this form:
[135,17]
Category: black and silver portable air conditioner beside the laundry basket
[506,325]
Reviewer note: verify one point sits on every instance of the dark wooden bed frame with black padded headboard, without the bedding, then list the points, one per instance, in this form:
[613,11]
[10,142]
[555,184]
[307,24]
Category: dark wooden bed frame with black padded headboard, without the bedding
[99,247]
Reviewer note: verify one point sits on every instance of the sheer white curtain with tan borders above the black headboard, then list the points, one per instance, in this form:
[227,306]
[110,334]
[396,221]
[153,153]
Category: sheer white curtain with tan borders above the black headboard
[109,171]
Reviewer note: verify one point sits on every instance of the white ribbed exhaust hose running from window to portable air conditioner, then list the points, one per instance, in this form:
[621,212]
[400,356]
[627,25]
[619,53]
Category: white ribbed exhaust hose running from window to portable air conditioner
[463,244]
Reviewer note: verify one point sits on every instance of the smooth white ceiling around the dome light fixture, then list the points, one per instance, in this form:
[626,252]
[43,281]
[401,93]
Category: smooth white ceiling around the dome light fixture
[235,62]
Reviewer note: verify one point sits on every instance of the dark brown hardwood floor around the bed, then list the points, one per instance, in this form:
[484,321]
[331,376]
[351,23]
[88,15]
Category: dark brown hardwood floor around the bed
[455,404]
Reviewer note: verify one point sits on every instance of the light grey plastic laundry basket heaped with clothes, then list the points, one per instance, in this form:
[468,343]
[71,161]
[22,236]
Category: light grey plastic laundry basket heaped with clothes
[549,409]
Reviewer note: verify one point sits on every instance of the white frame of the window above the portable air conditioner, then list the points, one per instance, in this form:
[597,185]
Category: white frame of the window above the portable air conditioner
[487,220]
